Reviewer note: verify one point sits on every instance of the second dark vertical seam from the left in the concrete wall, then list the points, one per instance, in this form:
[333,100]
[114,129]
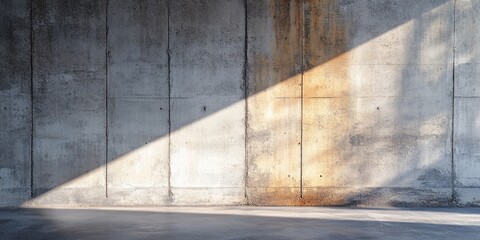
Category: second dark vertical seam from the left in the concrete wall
[106,98]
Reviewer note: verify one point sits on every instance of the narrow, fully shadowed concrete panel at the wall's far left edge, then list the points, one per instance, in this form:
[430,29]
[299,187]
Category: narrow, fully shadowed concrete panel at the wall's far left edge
[15,107]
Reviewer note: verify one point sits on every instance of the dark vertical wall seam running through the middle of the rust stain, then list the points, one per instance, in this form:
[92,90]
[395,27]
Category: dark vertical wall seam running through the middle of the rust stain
[301,99]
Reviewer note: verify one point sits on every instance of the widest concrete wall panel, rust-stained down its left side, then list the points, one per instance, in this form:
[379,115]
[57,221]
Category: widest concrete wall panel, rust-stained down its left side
[377,105]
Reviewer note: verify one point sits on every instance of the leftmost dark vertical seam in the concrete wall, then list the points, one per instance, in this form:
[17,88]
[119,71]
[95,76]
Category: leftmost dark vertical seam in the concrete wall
[31,99]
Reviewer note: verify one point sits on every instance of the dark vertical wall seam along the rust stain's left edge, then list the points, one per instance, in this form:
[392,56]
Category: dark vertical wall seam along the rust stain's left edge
[245,89]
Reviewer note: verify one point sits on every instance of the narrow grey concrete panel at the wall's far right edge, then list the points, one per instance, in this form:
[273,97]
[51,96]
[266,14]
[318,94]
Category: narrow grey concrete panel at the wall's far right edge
[467,103]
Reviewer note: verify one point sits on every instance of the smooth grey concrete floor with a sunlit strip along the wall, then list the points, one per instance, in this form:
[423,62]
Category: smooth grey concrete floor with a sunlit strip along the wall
[240,223]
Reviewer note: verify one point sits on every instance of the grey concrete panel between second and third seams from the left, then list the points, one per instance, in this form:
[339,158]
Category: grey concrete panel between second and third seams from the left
[138,105]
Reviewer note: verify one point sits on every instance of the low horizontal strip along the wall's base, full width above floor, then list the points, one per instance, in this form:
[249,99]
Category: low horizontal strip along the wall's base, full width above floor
[327,196]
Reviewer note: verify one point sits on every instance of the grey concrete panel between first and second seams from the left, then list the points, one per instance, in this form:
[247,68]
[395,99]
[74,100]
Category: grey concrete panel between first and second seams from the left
[69,102]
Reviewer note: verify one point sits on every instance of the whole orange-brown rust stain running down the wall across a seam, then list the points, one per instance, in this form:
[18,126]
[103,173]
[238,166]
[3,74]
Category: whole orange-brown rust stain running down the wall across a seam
[322,43]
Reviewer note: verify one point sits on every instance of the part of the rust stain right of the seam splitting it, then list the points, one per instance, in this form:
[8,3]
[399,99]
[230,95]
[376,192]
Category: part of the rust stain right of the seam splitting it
[326,106]
